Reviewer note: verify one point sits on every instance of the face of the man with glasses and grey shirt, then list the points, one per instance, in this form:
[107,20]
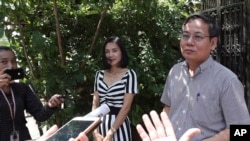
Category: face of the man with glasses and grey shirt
[195,43]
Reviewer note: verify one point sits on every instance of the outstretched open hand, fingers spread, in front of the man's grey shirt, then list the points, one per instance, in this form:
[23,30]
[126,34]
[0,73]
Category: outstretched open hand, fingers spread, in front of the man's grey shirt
[162,129]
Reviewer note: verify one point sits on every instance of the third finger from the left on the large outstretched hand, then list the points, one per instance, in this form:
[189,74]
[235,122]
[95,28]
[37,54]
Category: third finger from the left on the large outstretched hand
[158,124]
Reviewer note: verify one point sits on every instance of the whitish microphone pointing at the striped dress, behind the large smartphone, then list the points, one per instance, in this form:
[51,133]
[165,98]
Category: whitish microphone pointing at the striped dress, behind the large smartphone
[99,112]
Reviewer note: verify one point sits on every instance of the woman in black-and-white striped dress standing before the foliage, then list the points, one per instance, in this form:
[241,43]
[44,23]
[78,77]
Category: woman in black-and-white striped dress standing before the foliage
[115,86]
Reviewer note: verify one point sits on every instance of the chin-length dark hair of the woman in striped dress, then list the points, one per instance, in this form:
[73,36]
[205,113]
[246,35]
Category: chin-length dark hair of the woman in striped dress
[124,60]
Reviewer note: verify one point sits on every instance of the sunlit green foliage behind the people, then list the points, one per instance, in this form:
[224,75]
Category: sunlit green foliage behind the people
[150,30]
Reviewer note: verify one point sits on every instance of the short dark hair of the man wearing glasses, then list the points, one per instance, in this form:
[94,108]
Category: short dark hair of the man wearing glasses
[213,27]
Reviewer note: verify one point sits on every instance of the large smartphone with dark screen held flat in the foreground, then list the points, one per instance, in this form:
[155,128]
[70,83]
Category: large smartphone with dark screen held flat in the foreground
[75,126]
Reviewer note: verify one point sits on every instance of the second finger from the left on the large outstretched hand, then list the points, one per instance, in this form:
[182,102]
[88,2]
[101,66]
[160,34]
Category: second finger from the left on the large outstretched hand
[150,127]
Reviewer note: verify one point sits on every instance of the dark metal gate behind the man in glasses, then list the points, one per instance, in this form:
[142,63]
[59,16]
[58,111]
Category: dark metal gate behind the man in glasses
[233,49]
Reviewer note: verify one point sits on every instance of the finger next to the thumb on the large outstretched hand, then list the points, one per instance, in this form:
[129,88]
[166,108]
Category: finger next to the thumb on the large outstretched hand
[168,125]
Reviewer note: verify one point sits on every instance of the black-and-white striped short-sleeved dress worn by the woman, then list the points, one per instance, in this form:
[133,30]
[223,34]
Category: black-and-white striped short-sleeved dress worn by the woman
[113,96]
